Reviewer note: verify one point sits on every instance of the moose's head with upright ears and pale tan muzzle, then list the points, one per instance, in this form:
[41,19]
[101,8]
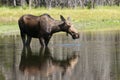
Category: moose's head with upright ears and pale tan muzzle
[68,27]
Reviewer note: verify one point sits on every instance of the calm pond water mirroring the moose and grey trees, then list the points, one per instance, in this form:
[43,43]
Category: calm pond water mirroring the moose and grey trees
[95,56]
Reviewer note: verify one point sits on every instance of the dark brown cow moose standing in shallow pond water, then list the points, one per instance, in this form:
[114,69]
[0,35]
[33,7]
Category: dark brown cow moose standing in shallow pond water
[43,27]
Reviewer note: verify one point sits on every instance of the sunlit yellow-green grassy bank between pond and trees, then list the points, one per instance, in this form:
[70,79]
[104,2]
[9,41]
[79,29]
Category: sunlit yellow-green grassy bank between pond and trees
[94,19]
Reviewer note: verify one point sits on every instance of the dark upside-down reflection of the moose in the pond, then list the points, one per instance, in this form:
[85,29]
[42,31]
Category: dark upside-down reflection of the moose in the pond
[43,64]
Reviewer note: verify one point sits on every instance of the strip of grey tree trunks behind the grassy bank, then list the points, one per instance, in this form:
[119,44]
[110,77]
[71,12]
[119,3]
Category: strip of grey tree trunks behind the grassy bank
[59,3]
